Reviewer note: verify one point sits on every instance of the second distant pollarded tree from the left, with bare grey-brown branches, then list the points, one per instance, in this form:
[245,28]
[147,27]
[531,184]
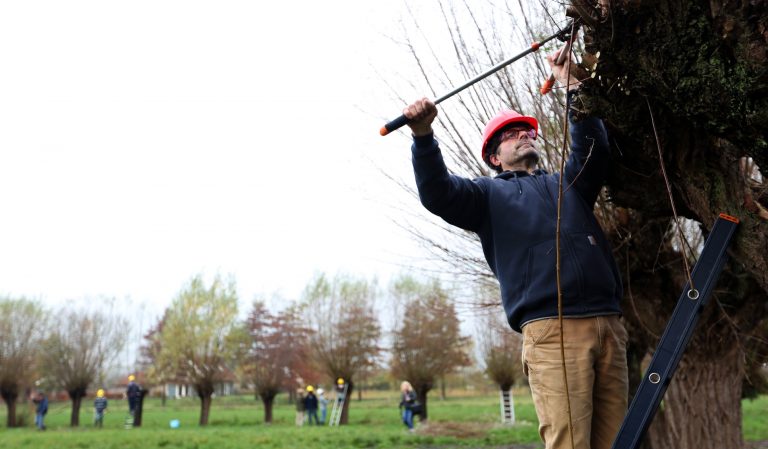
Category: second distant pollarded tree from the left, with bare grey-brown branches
[78,351]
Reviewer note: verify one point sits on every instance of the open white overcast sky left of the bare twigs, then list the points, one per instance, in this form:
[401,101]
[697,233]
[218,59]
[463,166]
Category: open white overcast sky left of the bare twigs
[142,142]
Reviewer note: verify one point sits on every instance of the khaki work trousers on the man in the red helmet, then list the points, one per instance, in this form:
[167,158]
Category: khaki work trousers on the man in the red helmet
[596,363]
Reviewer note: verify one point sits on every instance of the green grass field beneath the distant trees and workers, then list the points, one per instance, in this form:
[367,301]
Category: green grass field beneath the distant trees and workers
[237,422]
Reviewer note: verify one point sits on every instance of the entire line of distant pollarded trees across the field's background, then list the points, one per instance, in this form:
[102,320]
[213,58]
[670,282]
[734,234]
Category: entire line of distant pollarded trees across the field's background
[333,331]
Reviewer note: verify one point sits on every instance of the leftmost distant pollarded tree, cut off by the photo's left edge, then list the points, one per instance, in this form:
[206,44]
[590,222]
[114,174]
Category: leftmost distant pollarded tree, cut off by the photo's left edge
[22,326]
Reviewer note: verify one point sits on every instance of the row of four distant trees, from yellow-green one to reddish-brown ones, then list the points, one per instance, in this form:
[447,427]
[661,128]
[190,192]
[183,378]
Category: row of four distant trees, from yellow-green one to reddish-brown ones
[333,332]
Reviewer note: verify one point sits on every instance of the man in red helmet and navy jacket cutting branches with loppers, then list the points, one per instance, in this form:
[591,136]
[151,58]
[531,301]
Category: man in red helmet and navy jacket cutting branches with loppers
[515,215]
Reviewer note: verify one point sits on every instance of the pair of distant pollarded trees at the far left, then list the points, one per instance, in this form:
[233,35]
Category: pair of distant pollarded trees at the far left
[67,349]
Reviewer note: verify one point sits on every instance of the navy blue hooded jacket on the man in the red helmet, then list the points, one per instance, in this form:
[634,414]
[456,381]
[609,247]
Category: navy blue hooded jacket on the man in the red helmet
[515,215]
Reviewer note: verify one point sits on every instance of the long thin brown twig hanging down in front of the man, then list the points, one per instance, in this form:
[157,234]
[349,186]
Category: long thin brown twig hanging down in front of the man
[557,242]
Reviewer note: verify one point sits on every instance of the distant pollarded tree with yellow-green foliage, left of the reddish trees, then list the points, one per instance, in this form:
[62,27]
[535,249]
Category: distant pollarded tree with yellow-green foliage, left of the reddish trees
[196,340]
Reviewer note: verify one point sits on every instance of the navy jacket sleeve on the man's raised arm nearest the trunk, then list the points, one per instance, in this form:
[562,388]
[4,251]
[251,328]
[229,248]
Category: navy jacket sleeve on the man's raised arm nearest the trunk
[588,162]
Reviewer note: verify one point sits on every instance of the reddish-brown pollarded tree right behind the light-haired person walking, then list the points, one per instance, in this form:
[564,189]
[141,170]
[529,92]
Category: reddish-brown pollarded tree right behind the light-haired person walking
[427,342]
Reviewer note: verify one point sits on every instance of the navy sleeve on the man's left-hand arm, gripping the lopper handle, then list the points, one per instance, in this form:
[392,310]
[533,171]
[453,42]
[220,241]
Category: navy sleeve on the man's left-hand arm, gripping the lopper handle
[459,201]
